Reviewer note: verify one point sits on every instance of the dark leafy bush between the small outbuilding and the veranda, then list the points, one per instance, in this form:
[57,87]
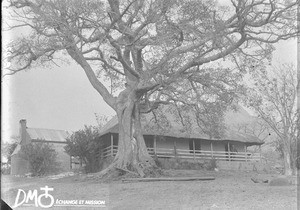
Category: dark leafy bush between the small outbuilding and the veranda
[82,144]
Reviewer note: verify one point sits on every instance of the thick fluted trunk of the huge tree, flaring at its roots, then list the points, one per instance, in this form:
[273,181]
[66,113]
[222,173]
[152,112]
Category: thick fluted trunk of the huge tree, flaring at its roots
[132,152]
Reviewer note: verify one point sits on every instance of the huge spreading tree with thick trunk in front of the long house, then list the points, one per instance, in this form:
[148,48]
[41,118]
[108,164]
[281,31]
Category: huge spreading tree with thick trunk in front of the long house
[145,47]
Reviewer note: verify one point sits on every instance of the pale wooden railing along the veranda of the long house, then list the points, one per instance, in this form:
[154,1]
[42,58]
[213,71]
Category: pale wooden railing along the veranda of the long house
[191,154]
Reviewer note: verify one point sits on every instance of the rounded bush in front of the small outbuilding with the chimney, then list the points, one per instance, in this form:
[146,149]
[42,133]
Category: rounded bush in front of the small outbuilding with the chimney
[42,158]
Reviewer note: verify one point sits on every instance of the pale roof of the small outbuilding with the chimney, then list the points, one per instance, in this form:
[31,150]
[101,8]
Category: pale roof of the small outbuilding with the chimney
[47,134]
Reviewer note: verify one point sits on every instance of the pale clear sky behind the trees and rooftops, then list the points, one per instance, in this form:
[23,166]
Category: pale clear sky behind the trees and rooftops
[62,97]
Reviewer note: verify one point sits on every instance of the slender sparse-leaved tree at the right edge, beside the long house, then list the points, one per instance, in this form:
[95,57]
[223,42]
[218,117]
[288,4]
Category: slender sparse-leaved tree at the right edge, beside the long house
[274,98]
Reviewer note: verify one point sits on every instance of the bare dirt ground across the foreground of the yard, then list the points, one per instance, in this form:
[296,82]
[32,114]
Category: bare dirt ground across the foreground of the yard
[230,190]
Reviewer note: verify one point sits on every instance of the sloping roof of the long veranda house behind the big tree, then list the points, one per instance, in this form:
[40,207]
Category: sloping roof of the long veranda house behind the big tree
[176,130]
